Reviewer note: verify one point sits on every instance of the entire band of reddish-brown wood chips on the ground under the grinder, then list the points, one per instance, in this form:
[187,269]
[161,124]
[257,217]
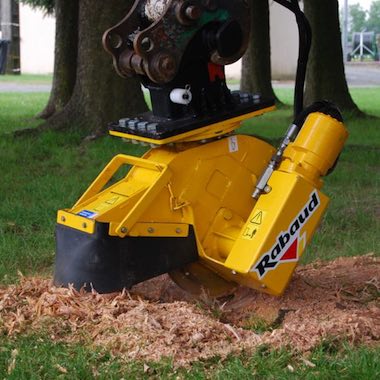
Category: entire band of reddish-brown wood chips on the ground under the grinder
[339,299]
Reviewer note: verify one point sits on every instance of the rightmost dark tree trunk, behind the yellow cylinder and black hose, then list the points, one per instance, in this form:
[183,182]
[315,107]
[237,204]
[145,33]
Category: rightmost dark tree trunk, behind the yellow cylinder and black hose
[325,77]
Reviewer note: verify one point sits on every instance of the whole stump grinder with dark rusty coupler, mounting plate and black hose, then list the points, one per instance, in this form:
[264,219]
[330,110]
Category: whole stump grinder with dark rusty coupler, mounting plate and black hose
[212,208]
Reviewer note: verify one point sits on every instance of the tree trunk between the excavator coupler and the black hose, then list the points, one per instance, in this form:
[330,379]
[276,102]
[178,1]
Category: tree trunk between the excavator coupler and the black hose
[256,65]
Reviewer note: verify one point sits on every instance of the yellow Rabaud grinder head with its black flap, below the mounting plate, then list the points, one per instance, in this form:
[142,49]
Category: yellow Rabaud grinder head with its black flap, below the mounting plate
[203,192]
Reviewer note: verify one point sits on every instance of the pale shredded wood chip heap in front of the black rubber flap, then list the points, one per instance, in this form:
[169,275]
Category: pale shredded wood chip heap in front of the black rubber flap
[128,326]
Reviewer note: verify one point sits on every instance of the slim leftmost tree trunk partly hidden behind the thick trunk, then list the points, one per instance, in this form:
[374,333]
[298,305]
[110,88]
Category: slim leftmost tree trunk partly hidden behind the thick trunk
[65,56]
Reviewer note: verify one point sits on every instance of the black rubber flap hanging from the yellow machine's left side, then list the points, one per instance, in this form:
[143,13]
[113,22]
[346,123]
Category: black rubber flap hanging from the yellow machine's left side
[108,264]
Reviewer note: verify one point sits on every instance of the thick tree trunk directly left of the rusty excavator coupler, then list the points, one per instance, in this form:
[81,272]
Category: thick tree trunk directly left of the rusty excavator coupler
[100,95]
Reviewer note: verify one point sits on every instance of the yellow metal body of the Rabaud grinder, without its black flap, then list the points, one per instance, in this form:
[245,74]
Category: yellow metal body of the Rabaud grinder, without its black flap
[208,187]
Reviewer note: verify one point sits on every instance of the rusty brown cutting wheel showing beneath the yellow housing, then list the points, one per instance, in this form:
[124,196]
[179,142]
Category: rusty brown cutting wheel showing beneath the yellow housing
[196,279]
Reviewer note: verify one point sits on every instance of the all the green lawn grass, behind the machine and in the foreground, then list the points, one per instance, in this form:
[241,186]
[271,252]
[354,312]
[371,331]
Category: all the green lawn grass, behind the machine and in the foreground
[44,173]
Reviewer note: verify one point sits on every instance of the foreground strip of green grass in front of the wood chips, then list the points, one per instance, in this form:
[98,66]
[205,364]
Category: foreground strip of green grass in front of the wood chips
[37,357]
